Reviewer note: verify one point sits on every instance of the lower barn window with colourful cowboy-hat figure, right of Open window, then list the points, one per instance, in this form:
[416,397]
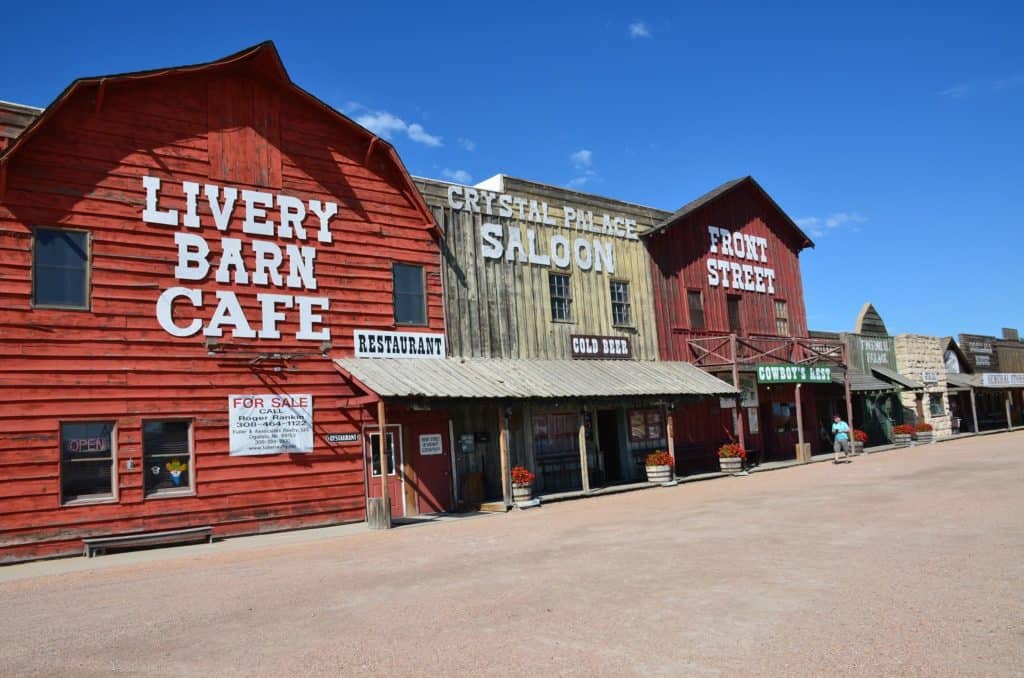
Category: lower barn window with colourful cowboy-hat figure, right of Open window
[166,456]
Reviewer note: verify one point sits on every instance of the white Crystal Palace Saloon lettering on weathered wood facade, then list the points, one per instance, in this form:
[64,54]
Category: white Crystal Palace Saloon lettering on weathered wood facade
[547,241]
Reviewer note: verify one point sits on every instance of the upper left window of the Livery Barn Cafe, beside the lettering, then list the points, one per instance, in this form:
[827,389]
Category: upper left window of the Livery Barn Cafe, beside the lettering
[61,269]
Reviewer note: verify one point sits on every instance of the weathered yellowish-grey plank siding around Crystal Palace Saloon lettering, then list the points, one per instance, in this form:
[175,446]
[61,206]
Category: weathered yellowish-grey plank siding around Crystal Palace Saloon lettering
[501,309]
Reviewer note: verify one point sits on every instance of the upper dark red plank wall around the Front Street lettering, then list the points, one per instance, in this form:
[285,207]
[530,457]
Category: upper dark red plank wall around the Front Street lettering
[679,264]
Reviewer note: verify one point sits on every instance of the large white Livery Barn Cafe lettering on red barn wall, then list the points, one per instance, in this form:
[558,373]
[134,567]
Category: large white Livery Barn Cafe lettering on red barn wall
[286,273]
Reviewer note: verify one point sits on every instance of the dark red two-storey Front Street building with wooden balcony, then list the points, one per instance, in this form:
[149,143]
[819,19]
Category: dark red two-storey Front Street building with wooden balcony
[729,296]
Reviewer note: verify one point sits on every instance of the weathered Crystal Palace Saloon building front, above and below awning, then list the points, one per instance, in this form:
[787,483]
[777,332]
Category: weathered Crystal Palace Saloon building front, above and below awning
[537,273]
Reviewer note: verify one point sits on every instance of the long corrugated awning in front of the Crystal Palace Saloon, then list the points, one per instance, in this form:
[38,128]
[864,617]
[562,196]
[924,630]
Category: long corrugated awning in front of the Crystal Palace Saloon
[496,378]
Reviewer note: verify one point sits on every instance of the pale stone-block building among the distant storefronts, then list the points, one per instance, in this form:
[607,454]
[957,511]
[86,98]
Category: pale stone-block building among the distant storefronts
[922,358]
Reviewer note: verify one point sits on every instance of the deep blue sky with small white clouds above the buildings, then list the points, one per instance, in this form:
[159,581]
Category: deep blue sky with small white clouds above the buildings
[893,134]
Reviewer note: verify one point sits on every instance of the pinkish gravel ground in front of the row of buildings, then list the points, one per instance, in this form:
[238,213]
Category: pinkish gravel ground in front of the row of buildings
[908,563]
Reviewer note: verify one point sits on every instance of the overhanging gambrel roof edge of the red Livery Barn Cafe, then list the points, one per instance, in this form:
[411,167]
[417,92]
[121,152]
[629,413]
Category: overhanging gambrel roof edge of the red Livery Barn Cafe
[265,58]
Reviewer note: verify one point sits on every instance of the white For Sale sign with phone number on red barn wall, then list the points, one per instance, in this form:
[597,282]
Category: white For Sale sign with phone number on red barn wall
[271,425]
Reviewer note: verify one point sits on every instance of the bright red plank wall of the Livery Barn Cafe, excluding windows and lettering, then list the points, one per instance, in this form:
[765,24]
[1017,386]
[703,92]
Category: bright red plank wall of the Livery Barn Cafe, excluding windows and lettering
[114,363]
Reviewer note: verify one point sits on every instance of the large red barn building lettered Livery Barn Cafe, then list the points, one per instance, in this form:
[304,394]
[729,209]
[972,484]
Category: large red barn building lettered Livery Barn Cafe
[184,253]
